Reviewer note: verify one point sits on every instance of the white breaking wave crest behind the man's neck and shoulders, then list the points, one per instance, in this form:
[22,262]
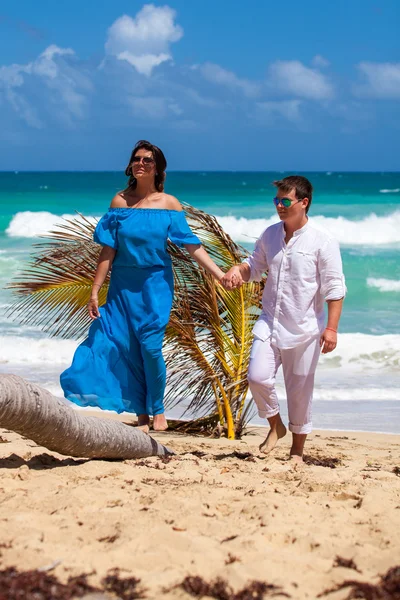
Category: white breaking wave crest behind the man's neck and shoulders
[370,231]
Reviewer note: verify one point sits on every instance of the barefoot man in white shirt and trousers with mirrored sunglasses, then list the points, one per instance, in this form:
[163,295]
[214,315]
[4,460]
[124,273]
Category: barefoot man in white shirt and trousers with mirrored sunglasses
[304,271]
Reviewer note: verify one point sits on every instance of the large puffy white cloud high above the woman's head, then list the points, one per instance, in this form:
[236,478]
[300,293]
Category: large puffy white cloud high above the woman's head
[144,41]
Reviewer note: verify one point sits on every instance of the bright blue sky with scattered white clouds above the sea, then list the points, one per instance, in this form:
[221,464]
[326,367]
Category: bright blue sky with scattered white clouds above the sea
[218,85]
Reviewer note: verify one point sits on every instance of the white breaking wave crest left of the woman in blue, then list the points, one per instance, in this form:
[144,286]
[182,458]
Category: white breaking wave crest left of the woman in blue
[30,224]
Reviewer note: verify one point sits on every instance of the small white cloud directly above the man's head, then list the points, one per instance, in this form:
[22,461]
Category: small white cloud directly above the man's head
[292,77]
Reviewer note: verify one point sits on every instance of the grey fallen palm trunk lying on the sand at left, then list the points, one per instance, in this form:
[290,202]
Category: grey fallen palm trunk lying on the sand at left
[34,413]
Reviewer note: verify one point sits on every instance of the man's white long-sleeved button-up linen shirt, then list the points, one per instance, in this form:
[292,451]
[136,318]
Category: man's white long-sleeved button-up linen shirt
[302,274]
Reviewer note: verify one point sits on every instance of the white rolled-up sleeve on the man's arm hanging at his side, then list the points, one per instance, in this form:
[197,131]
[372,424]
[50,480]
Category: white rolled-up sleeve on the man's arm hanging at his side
[330,266]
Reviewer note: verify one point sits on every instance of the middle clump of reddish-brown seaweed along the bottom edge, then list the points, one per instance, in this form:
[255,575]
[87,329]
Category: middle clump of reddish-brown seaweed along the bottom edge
[220,589]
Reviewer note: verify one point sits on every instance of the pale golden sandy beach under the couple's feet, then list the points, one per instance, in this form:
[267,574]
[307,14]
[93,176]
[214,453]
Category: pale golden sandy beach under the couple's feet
[216,509]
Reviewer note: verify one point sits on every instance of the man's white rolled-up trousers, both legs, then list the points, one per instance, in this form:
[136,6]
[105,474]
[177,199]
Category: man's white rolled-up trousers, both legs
[298,366]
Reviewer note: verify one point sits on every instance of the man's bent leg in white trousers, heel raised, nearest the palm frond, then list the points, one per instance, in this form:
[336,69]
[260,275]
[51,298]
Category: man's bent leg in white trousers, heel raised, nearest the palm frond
[264,363]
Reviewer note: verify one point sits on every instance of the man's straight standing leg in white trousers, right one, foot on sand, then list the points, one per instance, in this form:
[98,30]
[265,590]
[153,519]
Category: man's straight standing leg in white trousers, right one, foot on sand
[299,366]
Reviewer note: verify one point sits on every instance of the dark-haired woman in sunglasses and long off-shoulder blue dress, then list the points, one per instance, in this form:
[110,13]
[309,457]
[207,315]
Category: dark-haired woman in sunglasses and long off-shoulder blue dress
[120,365]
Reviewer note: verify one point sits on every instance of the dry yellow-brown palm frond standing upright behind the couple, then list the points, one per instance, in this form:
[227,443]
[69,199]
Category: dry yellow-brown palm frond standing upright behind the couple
[208,338]
